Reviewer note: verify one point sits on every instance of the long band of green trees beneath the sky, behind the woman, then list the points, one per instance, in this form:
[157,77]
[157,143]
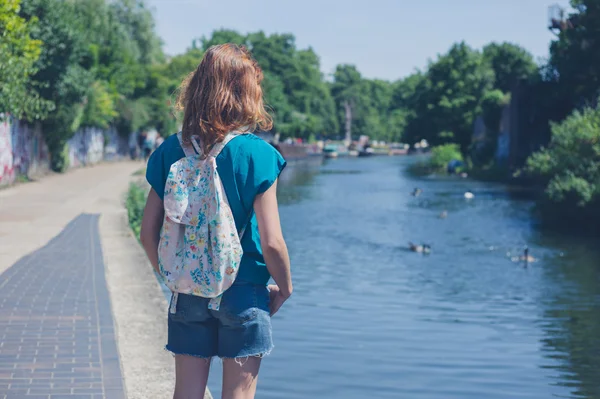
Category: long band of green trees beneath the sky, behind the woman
[100,63]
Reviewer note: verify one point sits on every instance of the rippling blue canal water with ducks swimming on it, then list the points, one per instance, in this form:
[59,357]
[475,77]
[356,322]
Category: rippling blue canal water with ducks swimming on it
[371,319]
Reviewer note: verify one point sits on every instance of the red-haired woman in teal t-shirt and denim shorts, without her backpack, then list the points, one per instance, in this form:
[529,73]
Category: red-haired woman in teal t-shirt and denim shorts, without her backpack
[224,95]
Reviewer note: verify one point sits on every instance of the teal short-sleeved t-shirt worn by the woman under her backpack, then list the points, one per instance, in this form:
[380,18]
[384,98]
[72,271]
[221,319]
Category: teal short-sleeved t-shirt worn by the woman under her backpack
[247,166]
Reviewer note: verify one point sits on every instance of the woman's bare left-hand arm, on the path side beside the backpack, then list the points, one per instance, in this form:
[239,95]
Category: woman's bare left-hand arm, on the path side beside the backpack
[151,224]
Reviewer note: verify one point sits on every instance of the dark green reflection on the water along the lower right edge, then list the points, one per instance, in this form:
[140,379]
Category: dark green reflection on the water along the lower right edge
[572,314]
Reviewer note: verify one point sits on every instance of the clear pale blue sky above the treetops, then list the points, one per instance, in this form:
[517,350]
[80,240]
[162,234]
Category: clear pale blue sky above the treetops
[385,39]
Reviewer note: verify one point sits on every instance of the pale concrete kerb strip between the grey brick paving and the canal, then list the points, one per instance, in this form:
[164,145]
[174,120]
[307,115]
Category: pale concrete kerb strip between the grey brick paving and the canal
[139,308]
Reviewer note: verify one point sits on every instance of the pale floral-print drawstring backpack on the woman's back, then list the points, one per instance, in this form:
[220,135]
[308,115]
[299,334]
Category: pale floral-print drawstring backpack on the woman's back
[199,252]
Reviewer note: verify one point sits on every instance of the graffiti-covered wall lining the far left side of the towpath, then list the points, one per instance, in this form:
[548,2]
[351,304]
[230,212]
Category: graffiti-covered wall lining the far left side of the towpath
[23,151]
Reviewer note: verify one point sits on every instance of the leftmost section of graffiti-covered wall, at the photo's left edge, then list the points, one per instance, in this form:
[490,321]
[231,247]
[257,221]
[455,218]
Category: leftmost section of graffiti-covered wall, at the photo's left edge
[23,151]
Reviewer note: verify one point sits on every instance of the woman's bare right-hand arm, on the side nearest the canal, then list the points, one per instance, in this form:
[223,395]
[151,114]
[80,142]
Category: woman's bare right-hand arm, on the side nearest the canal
[273,246]
